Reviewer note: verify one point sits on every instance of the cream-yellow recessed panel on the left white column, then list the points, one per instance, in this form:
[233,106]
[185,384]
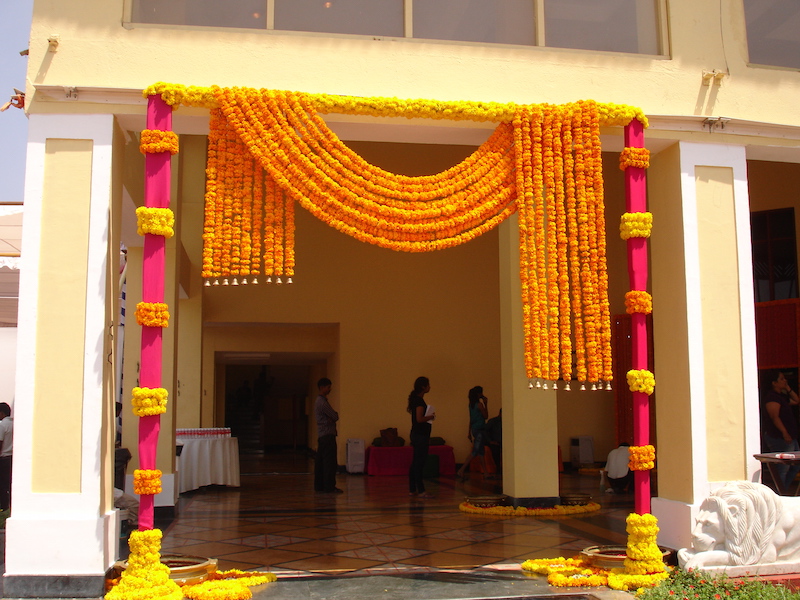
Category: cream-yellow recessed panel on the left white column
[58,394]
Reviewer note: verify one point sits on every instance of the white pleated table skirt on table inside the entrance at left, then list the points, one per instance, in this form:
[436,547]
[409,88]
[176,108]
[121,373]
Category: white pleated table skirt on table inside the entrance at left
[208,462]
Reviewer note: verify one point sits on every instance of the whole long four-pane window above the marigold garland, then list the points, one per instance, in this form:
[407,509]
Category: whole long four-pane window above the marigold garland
[630,26]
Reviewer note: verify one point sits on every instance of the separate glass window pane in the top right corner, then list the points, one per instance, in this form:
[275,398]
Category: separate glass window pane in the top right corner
[773,32]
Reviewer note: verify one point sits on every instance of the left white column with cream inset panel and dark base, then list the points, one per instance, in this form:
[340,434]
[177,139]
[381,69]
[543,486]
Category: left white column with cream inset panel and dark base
[60,543]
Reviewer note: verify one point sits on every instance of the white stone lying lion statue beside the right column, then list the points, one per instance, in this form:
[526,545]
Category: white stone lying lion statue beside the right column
[744,523]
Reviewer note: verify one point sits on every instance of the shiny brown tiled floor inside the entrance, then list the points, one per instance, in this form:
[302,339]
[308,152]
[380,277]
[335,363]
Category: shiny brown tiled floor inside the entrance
[275,521]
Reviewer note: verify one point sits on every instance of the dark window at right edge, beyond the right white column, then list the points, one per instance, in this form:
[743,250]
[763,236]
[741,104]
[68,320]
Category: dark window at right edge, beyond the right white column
[774,254]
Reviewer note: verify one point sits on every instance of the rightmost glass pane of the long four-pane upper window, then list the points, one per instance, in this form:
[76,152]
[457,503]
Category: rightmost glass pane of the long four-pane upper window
[606,25]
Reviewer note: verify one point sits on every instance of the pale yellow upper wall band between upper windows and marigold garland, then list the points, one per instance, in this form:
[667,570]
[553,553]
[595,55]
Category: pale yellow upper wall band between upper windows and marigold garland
[702,36]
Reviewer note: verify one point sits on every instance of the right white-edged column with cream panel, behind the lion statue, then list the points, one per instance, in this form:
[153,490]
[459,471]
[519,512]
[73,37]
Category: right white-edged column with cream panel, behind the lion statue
[695,383]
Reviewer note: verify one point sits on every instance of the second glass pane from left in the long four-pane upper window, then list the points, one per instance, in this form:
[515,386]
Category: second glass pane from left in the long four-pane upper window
[361,17]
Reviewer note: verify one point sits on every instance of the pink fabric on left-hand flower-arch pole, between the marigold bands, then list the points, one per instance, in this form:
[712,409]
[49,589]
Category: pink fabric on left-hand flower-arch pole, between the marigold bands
[156,195]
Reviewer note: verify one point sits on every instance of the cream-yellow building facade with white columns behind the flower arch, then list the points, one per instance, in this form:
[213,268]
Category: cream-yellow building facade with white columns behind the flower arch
[718,82]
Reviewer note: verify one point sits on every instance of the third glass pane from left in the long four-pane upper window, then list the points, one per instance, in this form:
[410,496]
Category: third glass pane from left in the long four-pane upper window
[492,21]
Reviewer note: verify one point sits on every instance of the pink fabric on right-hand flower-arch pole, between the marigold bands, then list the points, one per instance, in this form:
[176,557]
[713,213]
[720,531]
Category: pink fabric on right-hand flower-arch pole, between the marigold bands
[636,201]
